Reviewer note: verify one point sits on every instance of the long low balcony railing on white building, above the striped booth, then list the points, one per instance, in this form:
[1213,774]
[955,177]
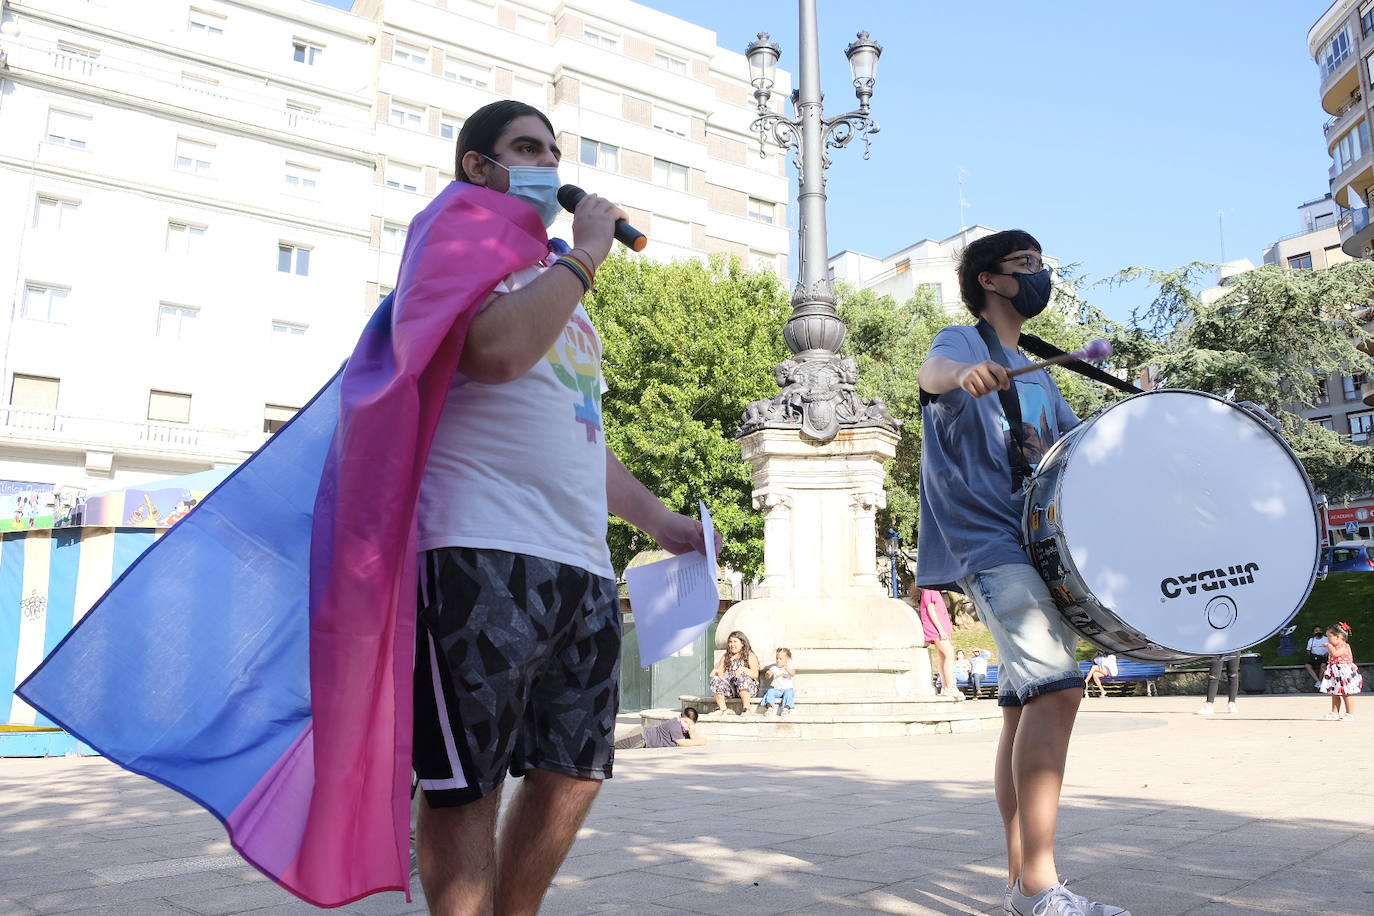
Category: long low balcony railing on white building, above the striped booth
[102,432]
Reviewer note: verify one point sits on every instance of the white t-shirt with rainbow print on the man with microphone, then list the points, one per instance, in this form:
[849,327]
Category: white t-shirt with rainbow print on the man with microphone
[521,466]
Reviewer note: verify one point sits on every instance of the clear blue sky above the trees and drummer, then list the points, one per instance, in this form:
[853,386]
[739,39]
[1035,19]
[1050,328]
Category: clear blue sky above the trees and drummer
[1114,133]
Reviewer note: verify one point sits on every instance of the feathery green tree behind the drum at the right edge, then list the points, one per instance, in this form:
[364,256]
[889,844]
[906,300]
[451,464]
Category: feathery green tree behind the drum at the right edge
[1270,339]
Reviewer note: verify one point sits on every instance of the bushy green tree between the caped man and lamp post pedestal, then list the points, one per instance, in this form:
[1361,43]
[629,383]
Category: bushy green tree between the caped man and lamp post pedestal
[686,348]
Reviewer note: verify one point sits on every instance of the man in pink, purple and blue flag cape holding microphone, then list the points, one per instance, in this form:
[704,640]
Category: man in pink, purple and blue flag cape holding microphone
[288,654]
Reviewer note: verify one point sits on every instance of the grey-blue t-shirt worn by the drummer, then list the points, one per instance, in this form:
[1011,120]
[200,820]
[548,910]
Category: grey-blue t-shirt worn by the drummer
[971,518]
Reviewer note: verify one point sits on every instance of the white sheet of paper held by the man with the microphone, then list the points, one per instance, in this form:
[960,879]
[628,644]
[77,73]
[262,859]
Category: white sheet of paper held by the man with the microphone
[674,601]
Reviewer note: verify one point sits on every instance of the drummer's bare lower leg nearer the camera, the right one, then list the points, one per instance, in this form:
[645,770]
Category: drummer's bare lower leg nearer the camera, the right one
[1038,763]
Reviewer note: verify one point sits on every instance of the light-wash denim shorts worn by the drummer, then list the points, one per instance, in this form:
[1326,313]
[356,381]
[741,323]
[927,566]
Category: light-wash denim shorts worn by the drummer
[1035,645]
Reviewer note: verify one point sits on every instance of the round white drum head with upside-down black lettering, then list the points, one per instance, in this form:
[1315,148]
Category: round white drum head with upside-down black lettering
[1191,521]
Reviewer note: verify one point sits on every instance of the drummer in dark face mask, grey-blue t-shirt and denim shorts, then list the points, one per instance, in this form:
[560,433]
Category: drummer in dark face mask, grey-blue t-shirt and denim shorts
[989,417]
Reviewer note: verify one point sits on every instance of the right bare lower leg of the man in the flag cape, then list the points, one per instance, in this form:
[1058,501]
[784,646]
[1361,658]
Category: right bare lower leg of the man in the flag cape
[537,834]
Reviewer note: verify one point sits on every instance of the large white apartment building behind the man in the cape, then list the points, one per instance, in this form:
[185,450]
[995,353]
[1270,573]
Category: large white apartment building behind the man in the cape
[212,197]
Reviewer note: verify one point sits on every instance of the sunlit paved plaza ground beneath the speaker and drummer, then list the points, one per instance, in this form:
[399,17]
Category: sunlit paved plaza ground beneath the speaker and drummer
[1265,812]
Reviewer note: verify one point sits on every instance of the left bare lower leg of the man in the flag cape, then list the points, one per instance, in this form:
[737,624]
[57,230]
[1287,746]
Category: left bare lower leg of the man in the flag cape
[458,856]
